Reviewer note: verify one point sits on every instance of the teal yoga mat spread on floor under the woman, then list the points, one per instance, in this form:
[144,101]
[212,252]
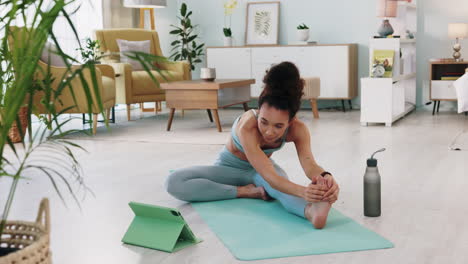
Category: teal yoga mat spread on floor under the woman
[255,229]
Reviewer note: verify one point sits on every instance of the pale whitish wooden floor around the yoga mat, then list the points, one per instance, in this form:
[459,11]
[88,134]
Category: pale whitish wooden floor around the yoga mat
[424,186]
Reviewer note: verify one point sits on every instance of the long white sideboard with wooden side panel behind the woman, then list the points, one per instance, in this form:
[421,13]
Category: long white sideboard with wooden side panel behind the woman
[336,65]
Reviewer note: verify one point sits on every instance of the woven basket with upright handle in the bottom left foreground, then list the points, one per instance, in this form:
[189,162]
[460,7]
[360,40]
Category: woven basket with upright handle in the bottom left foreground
[32,238]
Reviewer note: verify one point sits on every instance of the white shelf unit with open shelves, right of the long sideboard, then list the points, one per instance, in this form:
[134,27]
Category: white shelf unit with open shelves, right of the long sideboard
[385,100]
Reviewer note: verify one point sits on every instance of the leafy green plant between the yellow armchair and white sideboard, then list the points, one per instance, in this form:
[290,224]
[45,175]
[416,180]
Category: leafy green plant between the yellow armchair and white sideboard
[185,47]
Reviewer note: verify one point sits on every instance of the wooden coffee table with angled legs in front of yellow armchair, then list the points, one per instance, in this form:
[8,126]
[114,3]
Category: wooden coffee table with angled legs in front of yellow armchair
[199,94]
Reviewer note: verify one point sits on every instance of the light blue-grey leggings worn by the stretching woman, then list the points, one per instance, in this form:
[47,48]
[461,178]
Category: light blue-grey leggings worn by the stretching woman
[220,182]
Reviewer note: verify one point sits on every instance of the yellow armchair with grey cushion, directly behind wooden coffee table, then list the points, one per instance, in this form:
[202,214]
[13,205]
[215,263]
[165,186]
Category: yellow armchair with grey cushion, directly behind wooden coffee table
[136,86]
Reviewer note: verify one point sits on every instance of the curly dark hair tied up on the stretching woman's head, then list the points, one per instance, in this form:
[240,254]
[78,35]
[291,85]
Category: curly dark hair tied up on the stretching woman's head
[283,88]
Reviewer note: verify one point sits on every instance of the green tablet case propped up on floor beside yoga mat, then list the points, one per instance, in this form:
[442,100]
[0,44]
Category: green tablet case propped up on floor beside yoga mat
[158,228]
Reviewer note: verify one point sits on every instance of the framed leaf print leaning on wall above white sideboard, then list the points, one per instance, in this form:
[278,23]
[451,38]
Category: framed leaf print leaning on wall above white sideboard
[262,25]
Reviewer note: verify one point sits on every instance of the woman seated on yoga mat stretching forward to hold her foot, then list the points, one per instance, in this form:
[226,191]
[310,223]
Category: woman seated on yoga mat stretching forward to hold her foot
[244,169]
